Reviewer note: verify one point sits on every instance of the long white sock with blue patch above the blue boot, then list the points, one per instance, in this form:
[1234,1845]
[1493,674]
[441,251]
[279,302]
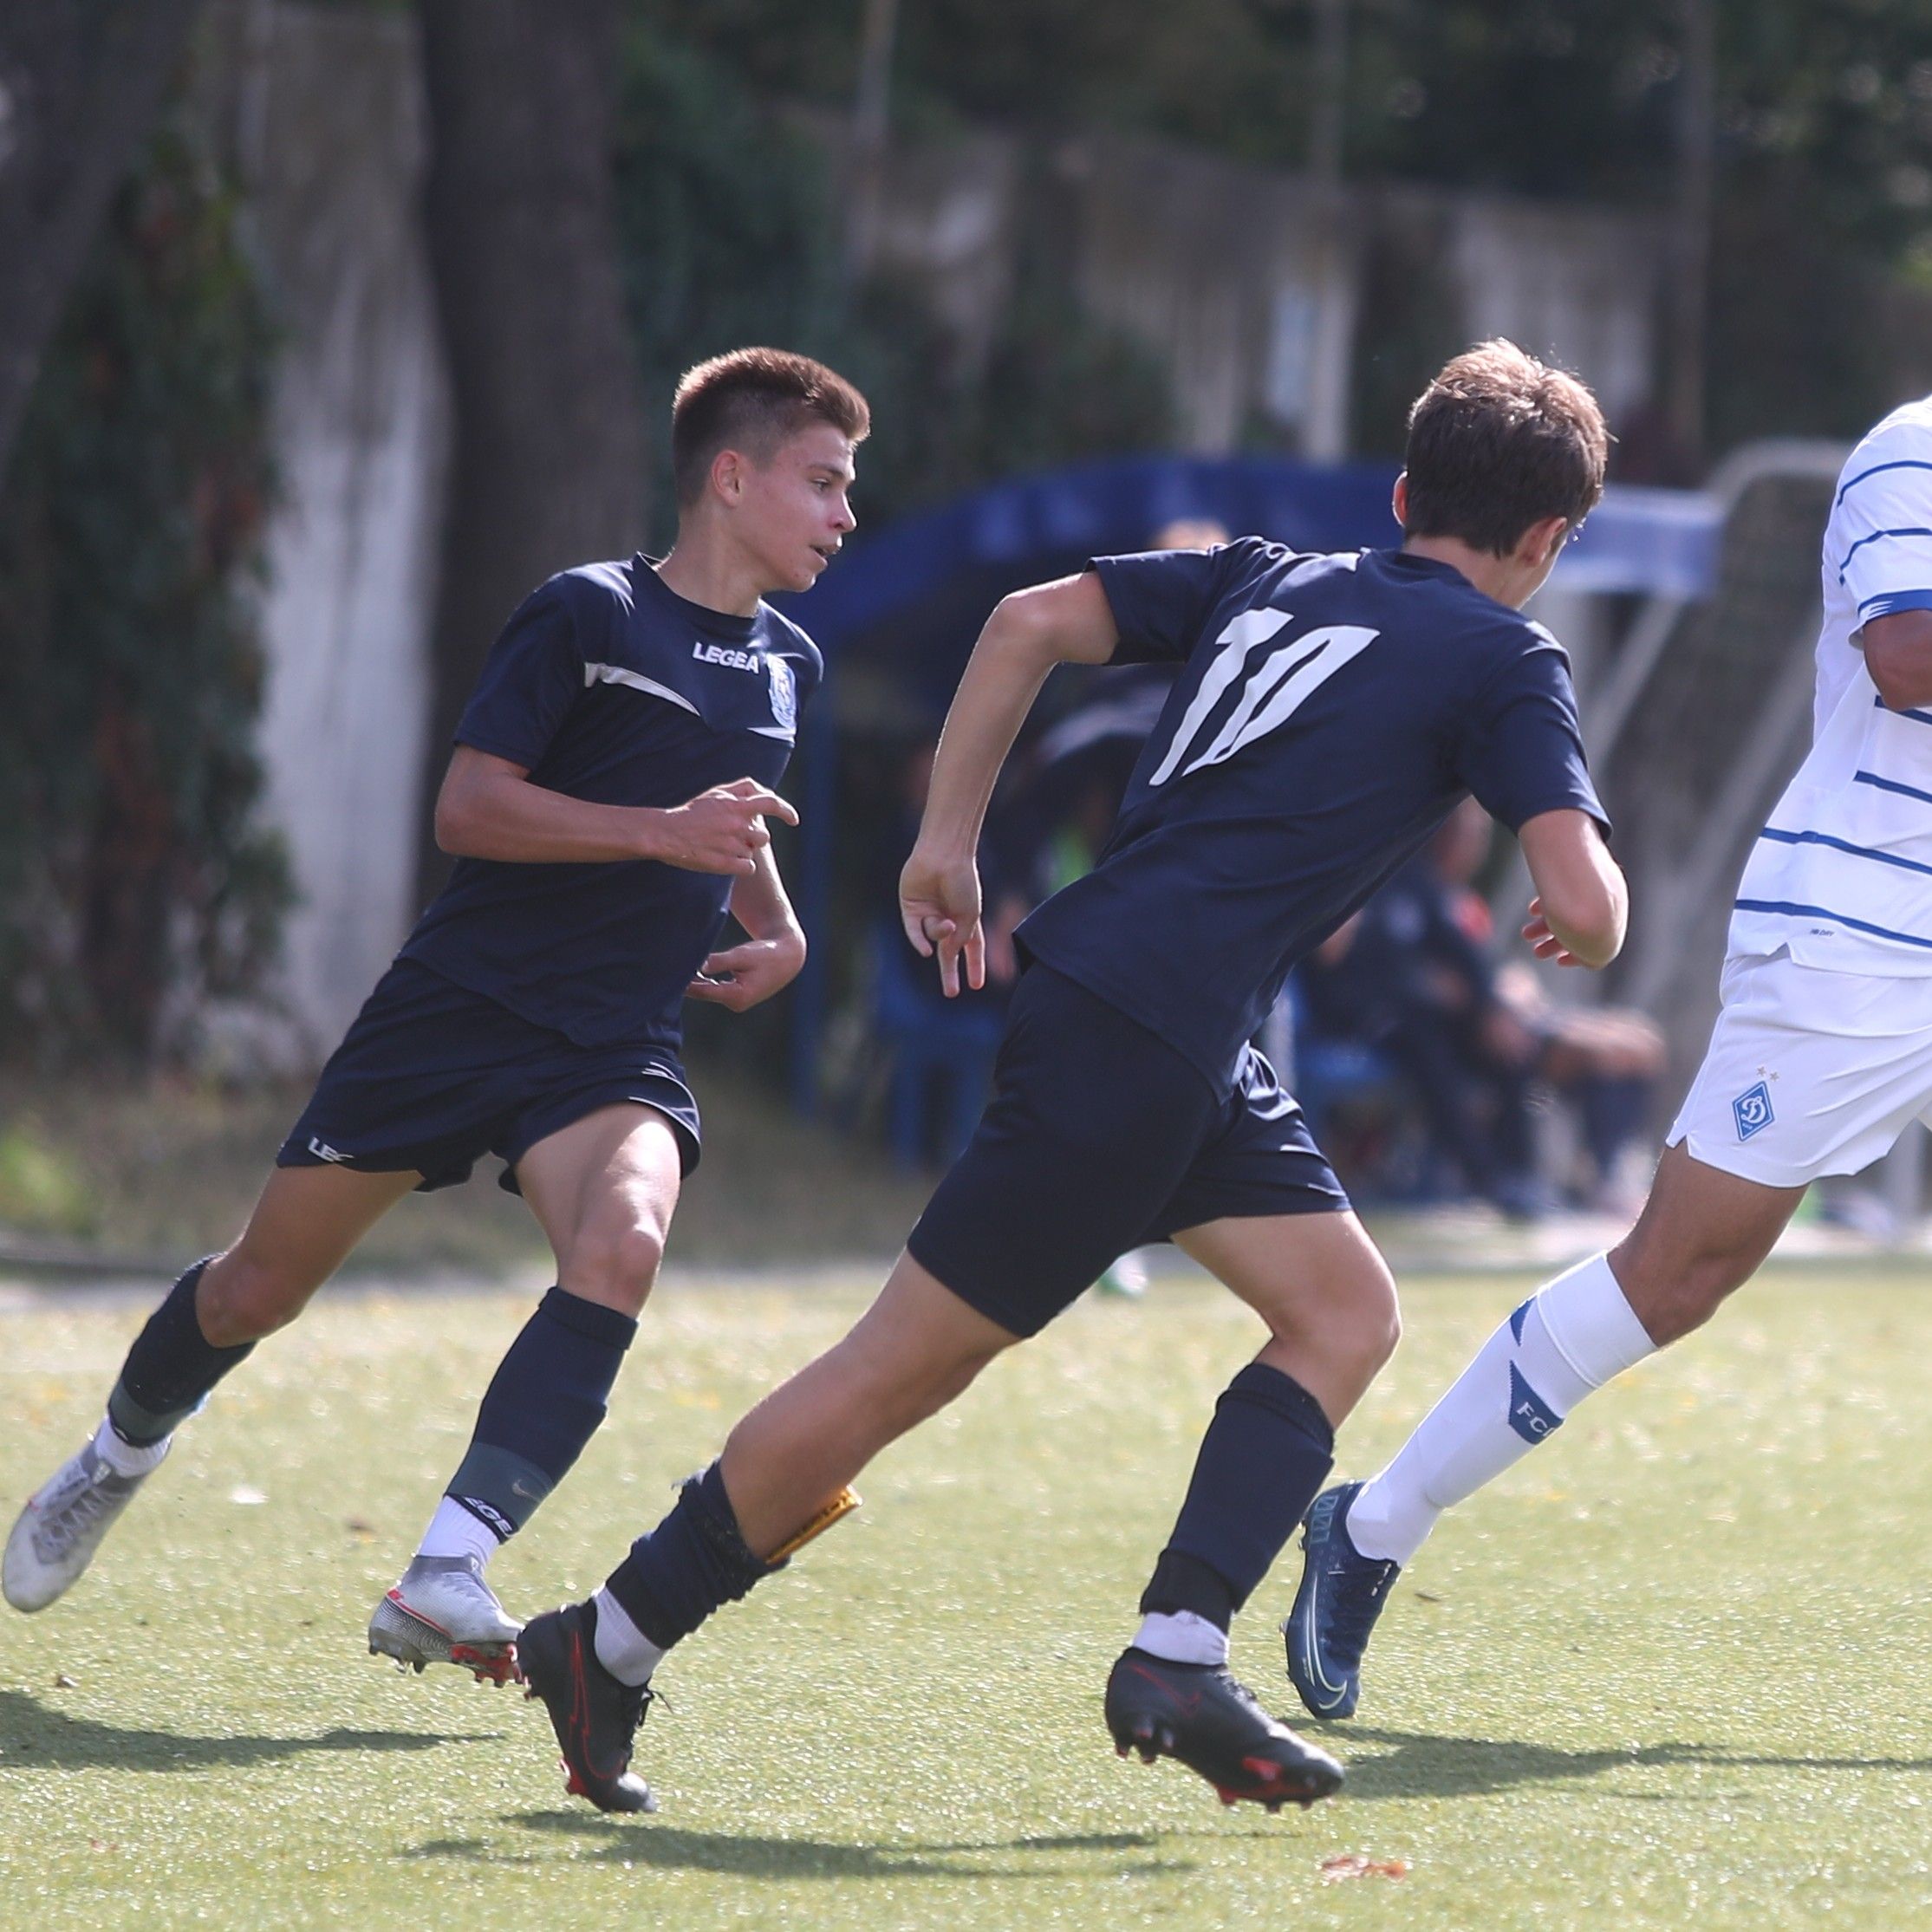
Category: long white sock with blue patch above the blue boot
[1560,1346]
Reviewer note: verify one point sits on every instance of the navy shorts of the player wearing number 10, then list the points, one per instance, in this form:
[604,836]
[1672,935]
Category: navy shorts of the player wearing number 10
[1100,1139]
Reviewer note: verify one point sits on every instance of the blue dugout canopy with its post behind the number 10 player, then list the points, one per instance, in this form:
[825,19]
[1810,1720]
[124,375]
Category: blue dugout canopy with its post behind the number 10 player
[919,590]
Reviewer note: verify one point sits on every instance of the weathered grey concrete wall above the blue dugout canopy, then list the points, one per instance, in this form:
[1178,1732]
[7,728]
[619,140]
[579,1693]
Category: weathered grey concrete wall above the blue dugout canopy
[1249,285]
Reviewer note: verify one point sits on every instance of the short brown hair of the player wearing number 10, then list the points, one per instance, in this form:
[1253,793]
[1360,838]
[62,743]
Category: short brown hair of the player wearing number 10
[1498,443]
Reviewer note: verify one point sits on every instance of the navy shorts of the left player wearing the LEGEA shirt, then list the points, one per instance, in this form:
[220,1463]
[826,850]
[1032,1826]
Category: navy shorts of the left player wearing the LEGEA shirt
[432,1077]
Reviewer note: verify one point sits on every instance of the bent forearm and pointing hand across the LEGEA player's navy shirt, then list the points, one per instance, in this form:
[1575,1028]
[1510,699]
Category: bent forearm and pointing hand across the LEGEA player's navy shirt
[488,809]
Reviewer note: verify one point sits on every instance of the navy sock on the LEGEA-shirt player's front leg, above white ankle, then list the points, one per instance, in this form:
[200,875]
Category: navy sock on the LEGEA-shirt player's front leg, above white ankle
[542,1407]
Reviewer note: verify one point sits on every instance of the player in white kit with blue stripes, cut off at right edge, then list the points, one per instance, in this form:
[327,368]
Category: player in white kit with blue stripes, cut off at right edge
[1821,1060]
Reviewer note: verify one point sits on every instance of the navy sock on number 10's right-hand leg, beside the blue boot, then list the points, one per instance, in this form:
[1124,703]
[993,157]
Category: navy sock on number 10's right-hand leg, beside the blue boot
[1264,1458]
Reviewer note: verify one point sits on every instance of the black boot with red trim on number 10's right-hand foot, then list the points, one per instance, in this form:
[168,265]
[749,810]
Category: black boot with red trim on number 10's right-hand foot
[1214,1724]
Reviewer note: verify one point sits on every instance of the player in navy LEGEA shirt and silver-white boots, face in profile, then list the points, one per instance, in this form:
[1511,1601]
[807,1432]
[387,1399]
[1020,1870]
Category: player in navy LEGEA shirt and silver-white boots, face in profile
[608,807]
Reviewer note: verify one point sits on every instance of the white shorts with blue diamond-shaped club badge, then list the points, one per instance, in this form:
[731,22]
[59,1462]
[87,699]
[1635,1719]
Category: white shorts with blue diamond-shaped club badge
[1809,1073]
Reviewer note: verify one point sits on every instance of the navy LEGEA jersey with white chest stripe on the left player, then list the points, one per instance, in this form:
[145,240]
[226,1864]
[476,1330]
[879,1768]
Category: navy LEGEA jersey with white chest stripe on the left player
[610,687]
